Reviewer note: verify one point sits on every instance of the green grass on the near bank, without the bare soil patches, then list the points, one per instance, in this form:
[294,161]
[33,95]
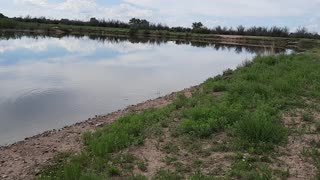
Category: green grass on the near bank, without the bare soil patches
[250,106]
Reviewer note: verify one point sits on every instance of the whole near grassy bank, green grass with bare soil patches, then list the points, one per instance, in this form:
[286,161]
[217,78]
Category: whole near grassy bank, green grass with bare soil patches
[239,125]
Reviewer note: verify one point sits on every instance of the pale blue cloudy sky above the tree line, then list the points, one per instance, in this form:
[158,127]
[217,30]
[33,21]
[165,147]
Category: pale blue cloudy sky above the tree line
[290,13]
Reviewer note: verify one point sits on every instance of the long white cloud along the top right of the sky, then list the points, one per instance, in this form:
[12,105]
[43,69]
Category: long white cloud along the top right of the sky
[231,8]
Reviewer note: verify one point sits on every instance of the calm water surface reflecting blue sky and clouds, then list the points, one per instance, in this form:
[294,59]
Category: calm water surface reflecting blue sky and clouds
[48,82]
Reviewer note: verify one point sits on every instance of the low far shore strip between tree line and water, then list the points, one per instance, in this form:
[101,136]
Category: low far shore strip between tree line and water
[252,41]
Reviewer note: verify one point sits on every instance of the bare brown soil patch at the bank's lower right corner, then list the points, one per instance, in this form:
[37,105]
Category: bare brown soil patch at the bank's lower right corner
[301,135]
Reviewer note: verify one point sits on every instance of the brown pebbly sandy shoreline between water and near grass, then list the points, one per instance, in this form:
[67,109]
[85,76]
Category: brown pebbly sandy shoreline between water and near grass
[23,159]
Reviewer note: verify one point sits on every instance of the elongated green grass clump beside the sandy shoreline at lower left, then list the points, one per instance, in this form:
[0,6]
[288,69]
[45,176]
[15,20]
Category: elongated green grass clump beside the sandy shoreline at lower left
[128,130]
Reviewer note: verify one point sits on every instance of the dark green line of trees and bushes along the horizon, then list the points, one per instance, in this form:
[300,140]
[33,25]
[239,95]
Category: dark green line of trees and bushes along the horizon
[136,24]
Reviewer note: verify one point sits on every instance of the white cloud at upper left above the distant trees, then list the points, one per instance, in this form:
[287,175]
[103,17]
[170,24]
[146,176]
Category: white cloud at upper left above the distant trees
[80,9]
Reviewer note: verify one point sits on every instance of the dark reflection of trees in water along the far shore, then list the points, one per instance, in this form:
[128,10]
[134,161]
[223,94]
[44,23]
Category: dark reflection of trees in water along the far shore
[153,41]
